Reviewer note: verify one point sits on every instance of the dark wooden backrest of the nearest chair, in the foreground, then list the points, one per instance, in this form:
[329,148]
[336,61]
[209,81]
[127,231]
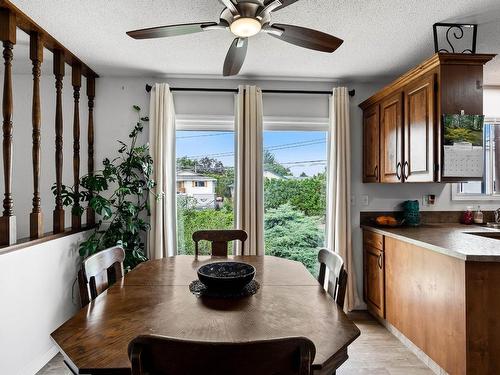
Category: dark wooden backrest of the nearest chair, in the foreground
[159,355]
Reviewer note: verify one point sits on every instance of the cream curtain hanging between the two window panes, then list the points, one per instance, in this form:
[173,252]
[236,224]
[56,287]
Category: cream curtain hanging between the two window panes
[249,170]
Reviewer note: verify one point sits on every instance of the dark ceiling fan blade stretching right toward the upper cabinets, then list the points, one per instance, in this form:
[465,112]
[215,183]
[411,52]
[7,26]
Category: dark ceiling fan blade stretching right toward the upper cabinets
[307,38]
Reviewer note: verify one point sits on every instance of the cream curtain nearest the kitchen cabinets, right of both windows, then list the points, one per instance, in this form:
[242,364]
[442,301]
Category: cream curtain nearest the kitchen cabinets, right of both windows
[338,232]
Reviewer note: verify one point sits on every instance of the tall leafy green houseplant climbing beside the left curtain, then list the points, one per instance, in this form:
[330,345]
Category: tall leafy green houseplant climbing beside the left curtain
[119,194]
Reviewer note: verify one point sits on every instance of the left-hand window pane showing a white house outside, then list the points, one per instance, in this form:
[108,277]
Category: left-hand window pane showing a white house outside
[205,180]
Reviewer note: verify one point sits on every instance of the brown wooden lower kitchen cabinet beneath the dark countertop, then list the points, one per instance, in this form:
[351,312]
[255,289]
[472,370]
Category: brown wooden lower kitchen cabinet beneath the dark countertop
[447,306]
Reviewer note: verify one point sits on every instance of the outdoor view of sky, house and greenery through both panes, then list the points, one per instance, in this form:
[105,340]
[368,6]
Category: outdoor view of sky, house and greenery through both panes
[294,190]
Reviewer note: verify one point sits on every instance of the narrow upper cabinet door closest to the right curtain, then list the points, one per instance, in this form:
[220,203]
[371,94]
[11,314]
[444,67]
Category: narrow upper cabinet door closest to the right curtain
[371,143]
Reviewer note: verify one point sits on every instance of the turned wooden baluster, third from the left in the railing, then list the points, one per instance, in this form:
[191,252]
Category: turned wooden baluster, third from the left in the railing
[59,75]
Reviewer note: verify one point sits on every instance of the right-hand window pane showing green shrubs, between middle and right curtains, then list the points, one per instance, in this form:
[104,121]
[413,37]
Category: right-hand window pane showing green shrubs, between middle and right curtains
[295,192]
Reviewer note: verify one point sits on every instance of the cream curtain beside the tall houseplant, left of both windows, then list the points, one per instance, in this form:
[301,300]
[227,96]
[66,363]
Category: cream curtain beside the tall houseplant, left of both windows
[162,236]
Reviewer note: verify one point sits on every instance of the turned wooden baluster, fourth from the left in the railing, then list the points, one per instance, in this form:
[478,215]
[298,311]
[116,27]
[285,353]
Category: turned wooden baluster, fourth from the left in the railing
[76,73]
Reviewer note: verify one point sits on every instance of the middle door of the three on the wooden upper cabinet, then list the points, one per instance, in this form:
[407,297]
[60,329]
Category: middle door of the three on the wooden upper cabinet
[391,138]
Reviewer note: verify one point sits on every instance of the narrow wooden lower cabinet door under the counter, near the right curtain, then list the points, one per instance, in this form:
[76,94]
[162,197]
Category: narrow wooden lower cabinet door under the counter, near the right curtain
[374,280]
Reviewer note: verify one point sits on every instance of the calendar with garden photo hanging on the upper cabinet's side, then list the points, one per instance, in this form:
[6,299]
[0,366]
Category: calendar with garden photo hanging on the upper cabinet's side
[463,149]
